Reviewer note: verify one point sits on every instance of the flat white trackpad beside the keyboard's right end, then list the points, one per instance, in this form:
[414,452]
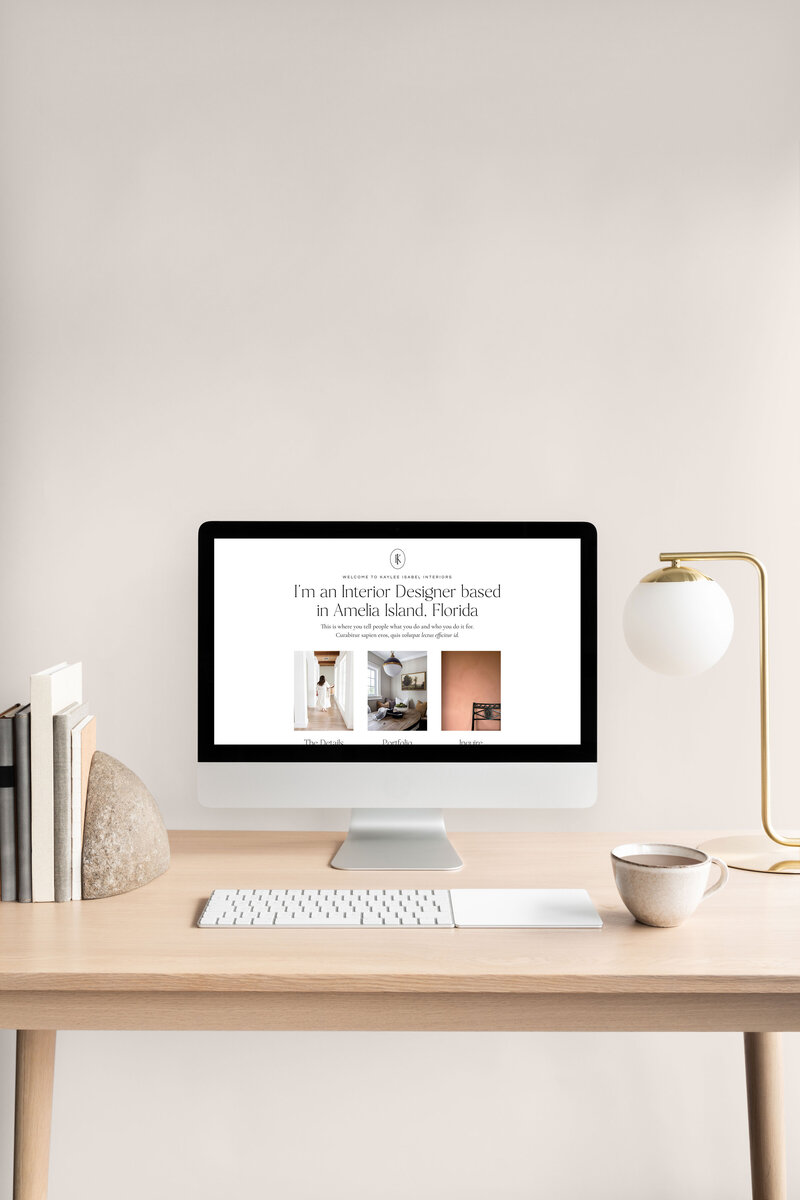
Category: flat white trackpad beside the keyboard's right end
[524,909]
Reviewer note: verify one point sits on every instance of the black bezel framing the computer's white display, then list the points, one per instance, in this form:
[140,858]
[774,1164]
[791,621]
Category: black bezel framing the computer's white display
[587,751]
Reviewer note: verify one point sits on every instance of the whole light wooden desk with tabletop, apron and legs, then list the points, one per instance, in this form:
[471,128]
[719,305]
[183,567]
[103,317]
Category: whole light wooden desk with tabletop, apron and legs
[139,963]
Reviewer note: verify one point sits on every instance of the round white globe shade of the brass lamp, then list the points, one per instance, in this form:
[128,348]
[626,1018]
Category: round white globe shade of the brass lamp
[678,622]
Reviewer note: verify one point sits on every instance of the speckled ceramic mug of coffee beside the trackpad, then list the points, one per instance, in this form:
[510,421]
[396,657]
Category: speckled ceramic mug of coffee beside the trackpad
[664,885]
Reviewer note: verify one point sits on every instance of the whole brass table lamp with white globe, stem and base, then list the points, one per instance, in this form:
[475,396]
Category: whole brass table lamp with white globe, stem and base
[685,631]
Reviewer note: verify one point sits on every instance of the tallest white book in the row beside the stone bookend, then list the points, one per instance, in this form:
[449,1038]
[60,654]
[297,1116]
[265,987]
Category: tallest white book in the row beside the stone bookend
[50,693]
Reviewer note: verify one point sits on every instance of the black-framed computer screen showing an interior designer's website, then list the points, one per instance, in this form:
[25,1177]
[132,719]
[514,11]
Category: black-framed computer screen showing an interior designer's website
[377,641]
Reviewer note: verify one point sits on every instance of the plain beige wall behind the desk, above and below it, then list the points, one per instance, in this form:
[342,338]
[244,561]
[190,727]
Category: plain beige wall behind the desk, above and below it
[548,251]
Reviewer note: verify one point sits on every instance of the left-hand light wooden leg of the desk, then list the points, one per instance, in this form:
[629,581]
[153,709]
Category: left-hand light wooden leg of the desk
[34,1108]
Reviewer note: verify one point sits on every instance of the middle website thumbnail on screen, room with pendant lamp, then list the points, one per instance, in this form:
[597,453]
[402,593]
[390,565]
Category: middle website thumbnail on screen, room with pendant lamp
[398,692]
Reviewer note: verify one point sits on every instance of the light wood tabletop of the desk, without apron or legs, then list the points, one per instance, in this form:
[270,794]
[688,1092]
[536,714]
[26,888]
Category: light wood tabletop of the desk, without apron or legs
[747,939]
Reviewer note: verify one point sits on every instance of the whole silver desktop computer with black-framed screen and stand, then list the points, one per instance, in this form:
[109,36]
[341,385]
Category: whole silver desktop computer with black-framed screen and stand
[398,670]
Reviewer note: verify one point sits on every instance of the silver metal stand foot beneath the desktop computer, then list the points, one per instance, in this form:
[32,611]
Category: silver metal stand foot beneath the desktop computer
[398,841]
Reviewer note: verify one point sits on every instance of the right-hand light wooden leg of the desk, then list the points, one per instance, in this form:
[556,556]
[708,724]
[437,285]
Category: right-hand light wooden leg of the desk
[765,1069]
